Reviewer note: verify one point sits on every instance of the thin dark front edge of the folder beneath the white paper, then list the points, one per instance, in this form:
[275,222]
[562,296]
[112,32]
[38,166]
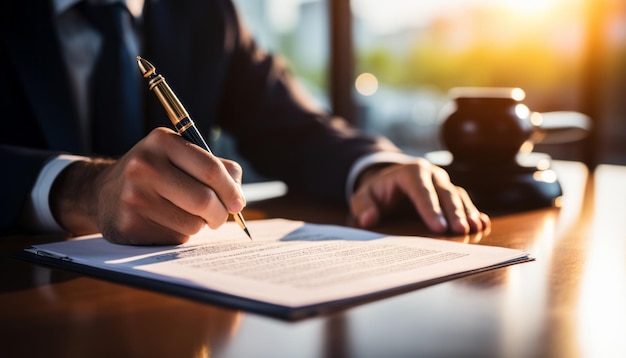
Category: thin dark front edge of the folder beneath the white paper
[241,303]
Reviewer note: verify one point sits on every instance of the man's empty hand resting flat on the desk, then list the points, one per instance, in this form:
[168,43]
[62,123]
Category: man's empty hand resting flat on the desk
[442,205]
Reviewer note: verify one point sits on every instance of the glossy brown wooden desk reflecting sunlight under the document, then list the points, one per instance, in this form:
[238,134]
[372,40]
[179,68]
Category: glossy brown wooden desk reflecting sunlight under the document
[570,302]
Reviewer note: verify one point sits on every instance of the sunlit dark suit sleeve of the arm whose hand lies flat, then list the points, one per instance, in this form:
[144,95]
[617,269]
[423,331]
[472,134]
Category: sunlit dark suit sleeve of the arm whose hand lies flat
[281,132]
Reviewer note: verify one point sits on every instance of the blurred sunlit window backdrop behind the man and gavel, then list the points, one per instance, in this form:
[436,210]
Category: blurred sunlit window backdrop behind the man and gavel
[387,66]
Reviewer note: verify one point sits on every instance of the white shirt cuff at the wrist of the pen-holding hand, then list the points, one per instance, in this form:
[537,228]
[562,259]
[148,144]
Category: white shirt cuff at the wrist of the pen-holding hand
[41,216]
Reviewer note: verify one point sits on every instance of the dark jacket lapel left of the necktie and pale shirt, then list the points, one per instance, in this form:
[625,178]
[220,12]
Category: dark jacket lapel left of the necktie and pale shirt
[37,57]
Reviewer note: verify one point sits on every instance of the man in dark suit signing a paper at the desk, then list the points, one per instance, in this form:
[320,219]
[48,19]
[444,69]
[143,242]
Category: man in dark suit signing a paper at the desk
[149,186]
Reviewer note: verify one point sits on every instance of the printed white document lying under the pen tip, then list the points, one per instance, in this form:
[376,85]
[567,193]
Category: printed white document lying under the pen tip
[290,268]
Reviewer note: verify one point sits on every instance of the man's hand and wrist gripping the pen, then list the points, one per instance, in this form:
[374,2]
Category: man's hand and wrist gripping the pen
[160,192]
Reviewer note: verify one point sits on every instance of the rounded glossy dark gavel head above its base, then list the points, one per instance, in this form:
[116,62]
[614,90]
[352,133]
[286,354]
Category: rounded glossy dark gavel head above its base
[486,126]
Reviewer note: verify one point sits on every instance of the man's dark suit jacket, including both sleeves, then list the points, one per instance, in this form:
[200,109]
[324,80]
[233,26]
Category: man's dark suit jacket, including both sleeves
[213,66]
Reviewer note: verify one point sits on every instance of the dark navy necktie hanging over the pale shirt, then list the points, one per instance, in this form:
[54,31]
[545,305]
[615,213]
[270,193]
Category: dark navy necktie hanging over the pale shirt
[115,112]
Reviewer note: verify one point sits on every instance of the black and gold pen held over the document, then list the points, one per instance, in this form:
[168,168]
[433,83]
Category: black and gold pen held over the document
[178,115]
